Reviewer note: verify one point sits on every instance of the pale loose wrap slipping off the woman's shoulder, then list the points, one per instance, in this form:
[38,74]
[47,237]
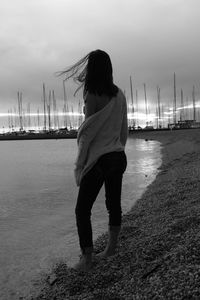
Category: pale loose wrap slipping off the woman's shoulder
[103,132]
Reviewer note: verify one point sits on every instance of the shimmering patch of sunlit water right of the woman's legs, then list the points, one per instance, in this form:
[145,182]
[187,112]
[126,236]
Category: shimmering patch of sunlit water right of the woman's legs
[144,159]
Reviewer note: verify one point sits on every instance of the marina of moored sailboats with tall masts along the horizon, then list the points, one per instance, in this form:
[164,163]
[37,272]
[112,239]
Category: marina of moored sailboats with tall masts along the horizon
[57,119]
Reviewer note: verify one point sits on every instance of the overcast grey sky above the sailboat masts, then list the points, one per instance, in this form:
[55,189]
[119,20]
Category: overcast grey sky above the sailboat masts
[147,39]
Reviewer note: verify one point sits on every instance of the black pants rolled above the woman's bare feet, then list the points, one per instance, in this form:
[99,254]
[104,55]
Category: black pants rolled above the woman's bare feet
[109,171]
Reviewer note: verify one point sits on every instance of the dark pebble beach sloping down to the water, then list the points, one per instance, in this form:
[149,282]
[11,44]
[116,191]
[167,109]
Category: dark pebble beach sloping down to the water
[158,253]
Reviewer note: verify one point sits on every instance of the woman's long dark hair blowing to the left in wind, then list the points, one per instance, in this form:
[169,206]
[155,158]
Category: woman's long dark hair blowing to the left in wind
[94,73]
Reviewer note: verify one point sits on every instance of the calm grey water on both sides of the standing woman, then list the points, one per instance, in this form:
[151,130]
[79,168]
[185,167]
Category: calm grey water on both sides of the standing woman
[37,201]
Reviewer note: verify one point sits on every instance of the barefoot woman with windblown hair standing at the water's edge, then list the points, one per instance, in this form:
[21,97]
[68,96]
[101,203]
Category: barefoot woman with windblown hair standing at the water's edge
[101,158]
